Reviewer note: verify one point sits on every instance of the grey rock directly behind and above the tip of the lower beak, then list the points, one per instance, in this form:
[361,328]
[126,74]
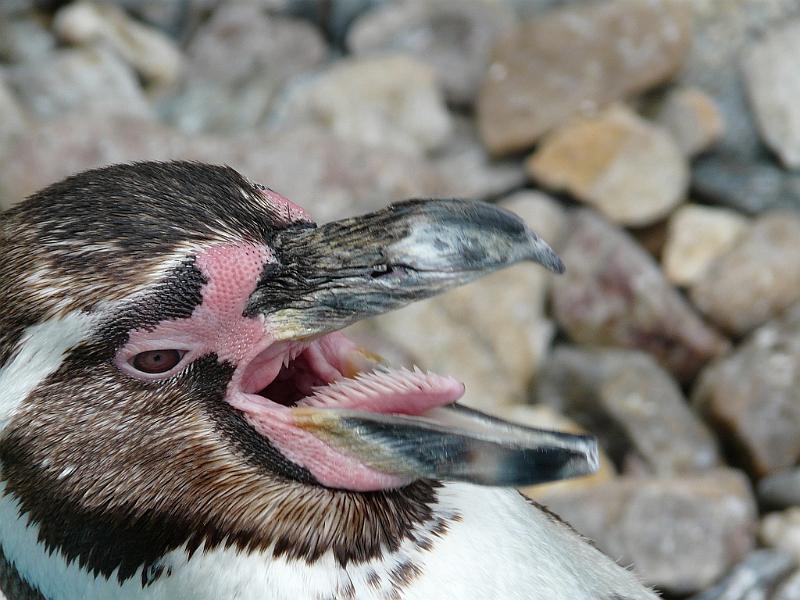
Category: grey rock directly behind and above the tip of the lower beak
[631,404]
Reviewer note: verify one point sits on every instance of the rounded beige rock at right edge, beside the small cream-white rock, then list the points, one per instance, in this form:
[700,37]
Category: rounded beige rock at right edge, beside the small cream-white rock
[756,279]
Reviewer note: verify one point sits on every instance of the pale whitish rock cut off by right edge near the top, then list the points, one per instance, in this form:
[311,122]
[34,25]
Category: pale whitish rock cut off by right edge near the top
[773,84]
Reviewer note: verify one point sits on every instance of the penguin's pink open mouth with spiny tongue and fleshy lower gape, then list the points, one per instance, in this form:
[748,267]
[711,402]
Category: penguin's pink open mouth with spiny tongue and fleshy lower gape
[324,374]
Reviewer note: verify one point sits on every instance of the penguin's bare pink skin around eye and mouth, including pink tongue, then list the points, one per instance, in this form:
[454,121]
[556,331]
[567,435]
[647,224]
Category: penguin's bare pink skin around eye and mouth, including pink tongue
[218,326]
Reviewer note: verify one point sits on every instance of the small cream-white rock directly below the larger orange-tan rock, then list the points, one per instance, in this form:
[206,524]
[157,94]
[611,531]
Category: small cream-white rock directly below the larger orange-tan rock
[696,237]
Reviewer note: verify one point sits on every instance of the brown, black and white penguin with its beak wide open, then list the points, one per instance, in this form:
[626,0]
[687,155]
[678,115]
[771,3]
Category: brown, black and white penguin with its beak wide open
[181,416]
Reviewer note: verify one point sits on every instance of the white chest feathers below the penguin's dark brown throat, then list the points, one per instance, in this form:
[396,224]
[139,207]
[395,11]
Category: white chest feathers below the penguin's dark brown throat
[501,548]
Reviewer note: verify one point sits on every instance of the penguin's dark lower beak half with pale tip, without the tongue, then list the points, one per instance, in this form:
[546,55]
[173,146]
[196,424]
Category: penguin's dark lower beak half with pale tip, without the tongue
[453,443]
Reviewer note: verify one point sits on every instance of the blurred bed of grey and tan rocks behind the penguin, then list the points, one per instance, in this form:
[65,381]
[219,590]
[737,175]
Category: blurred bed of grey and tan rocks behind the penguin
[654,144]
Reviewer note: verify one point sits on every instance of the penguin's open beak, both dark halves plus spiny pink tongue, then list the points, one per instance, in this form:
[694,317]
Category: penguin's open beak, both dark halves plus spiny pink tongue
[407,425]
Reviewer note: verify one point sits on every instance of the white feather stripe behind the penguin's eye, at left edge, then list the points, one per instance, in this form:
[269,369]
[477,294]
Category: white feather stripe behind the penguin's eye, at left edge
[39,354]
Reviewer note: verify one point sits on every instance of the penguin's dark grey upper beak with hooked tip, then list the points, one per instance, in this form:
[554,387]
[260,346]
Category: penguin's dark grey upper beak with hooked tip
[341,272]
